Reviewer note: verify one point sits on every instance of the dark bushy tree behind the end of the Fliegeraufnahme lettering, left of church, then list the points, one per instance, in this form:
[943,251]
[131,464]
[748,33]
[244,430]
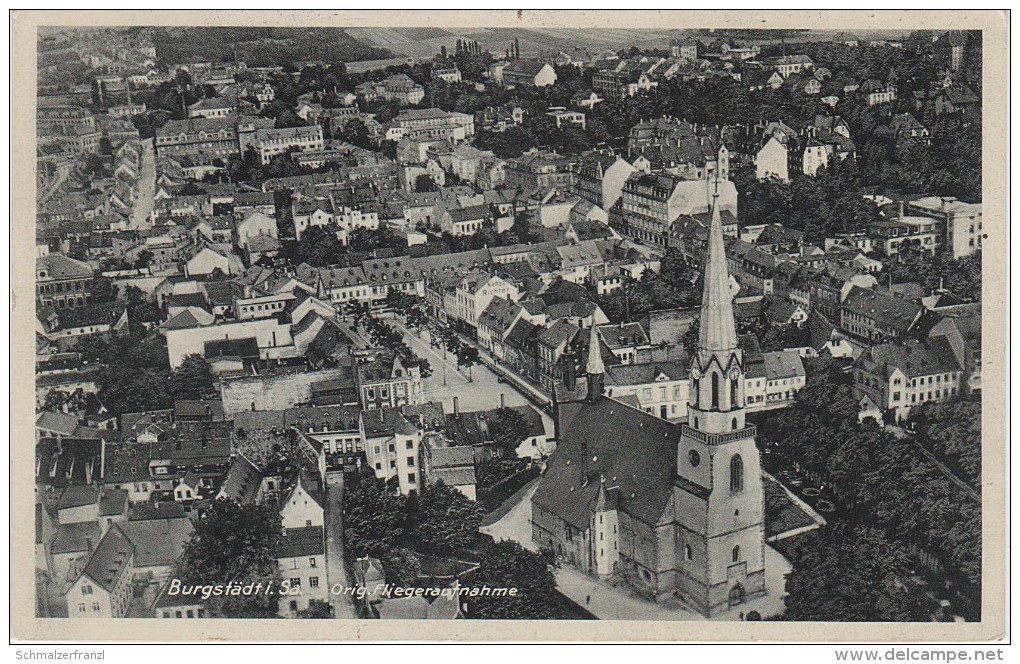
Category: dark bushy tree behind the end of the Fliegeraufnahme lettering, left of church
[507,565]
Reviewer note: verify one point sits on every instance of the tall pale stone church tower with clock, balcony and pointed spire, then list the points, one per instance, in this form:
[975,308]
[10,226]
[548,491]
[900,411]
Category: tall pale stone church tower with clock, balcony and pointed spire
[721,536]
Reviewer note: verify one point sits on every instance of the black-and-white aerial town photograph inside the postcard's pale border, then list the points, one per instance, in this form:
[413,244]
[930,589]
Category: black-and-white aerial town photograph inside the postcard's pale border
[447,324]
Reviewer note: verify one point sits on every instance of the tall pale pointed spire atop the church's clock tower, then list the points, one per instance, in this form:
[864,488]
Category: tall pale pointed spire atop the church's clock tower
[718,331]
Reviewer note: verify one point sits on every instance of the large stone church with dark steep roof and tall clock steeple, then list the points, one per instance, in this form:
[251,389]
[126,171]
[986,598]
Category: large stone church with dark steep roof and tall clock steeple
[678,509]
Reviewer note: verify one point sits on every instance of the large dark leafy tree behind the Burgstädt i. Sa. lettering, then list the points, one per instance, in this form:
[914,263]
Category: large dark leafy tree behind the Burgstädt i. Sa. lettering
[239,544]
